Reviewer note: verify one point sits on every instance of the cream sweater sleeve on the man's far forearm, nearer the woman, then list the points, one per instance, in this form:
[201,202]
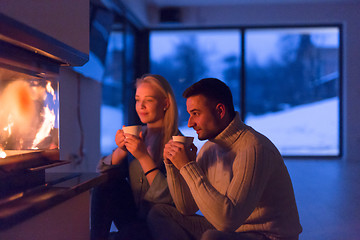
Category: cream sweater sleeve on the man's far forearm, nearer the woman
[180,191]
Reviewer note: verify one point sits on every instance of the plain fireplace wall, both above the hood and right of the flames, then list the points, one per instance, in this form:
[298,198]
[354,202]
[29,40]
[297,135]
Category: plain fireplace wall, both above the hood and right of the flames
[68,22]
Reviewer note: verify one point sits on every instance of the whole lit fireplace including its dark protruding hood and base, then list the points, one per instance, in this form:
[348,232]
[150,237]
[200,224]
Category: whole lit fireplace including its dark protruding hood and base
[29,104]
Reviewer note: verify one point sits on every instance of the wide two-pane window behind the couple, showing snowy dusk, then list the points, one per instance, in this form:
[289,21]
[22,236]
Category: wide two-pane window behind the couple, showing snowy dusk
[291,79]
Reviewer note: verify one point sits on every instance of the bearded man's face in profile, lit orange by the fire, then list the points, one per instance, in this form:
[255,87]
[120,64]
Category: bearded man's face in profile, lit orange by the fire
[203,117]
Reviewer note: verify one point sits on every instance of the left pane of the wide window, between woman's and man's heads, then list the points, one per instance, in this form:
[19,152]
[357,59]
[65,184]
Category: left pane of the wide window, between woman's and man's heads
[185,56]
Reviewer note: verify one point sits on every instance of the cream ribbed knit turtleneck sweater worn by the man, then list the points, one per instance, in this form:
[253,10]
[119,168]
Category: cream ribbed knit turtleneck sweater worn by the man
[240,183]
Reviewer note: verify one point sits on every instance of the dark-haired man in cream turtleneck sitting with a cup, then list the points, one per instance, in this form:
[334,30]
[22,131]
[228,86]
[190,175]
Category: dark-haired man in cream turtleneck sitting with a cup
[238,181]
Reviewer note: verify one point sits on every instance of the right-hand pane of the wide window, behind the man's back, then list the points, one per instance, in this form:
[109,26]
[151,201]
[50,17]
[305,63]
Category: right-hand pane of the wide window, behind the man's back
[292,88]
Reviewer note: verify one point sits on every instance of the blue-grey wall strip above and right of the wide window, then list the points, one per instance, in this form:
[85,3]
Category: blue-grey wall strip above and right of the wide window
[347,14]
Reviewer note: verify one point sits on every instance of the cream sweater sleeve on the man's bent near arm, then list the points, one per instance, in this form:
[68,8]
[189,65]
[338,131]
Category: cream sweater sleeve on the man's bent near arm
[227,212]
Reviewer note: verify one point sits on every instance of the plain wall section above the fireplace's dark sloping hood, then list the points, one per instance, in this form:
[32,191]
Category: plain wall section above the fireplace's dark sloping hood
[65,20]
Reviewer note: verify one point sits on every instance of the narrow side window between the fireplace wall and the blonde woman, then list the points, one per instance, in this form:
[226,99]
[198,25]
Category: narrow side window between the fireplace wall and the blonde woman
[111,63]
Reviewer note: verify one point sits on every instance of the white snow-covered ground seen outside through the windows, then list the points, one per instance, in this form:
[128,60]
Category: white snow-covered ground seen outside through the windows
[311,129]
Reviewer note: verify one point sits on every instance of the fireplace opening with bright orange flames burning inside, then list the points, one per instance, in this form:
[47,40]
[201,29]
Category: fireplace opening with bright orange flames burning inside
[29,118]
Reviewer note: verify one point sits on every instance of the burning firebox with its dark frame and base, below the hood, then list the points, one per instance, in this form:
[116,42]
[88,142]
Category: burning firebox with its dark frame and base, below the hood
[29,120]
